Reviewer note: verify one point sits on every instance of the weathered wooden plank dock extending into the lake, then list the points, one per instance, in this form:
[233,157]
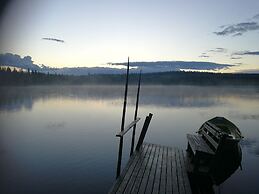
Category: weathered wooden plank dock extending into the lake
[154,169]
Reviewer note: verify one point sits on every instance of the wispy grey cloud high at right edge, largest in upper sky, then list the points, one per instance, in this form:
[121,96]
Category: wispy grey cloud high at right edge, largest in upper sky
[238,29]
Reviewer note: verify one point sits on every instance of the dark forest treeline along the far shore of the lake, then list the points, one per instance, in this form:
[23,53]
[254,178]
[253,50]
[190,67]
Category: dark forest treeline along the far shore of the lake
[30,77]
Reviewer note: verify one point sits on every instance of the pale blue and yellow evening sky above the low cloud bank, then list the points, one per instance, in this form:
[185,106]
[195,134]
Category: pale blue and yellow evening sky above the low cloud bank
[65,33]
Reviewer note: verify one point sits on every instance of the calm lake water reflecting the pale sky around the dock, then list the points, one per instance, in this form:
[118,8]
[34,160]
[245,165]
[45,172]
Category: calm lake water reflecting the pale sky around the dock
[61,139]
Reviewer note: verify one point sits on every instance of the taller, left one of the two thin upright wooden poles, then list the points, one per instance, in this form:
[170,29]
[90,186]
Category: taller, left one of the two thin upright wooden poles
[122,123]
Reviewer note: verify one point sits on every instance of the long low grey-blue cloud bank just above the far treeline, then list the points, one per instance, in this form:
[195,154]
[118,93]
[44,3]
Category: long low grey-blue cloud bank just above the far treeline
[9,59]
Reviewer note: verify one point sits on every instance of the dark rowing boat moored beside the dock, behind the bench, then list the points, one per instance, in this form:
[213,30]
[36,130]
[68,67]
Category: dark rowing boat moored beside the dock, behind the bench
[223,137]
